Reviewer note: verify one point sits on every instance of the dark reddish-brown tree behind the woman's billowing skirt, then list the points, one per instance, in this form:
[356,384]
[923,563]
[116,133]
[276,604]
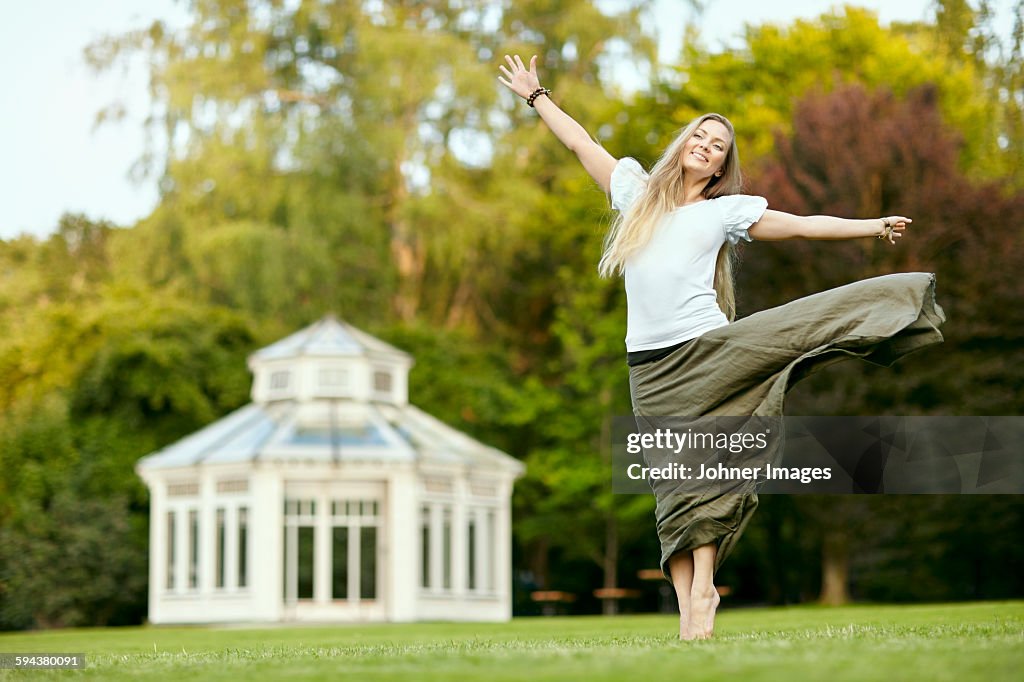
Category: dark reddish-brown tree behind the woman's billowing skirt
[855,153]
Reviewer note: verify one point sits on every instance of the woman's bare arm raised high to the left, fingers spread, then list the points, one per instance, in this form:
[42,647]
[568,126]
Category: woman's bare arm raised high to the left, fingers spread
[594,158]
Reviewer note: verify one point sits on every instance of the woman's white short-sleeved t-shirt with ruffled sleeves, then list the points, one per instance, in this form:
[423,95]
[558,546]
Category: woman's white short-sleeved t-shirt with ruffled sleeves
[670,290]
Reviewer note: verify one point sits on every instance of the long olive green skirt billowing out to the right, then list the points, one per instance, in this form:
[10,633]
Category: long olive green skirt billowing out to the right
[746,368]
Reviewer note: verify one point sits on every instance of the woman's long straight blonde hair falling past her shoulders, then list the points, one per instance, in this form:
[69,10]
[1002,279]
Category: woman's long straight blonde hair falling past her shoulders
[634,228]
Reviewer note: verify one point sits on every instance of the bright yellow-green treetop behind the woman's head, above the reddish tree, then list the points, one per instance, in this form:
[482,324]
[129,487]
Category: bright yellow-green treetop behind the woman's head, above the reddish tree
[758,84]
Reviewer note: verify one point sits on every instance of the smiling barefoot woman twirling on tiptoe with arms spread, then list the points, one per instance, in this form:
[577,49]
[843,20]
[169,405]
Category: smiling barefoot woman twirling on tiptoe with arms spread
[671,241]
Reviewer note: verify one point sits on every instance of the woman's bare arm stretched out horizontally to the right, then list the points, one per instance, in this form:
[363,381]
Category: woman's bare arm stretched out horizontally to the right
[777,226]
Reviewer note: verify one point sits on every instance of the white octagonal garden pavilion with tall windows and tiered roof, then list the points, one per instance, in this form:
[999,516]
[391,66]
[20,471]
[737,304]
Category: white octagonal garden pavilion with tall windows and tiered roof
[329,498]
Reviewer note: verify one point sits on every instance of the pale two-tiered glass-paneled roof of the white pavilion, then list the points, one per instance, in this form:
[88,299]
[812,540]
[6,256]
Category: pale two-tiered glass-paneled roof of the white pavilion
[318,427]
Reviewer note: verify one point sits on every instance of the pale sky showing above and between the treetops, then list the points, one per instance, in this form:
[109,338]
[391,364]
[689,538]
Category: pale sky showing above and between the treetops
[54,161]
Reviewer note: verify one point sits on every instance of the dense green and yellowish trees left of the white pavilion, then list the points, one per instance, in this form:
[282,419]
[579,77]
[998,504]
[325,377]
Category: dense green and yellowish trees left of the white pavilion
[98,386]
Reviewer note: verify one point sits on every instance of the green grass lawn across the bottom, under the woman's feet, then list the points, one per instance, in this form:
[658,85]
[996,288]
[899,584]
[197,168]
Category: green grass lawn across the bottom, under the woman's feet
[956,643]
